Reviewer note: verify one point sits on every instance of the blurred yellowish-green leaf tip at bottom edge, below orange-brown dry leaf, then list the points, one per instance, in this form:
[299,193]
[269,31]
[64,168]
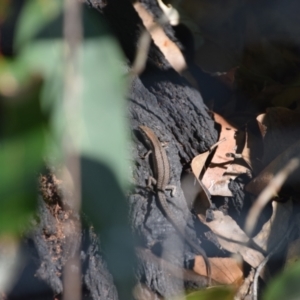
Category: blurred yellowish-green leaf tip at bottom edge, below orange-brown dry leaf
[215,293]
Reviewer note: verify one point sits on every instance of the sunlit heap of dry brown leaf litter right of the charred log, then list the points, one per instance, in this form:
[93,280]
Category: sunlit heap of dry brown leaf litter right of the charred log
[239,152]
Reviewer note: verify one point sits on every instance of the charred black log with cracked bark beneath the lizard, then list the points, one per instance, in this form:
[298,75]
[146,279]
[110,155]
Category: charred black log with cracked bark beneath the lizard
[162,100]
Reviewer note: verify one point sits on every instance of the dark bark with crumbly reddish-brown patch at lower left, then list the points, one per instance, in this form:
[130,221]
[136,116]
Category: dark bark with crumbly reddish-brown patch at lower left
[51,244]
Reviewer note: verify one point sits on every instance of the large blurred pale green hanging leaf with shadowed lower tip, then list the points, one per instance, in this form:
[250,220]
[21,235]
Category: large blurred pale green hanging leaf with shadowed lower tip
[99,130]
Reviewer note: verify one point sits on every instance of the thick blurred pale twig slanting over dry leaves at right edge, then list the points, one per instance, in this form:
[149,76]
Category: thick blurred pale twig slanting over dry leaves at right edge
[272,188]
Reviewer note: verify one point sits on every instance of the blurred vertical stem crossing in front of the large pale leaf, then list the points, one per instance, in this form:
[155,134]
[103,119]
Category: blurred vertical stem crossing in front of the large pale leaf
[71,102]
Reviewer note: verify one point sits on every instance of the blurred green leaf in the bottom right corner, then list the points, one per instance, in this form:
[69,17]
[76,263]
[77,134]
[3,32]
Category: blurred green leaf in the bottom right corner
[285,286]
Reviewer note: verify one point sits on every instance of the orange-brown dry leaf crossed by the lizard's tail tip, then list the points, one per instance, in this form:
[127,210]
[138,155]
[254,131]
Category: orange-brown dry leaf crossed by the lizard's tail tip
[223,270]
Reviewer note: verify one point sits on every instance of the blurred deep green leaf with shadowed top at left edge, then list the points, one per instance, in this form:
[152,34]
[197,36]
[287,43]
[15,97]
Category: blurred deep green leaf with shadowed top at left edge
[22,147]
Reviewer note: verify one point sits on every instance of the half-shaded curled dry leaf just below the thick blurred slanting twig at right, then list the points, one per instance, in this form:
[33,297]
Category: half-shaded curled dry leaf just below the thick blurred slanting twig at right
[275,229]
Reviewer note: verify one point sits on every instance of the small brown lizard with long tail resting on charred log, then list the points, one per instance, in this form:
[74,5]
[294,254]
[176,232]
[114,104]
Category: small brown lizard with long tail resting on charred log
[162,177]
